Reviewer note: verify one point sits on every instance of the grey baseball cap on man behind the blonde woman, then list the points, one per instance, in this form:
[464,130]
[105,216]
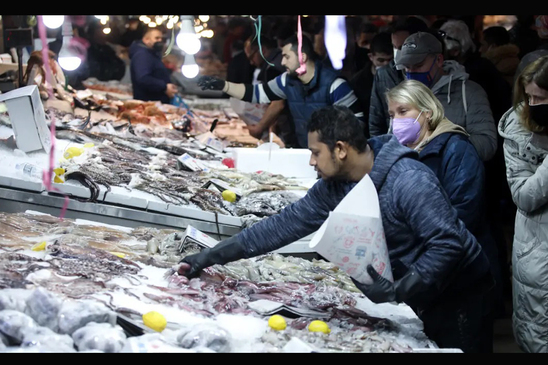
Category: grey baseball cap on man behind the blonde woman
[416,47]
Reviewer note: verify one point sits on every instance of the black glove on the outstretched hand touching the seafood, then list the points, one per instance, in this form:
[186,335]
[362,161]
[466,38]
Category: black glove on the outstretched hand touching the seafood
[223,252]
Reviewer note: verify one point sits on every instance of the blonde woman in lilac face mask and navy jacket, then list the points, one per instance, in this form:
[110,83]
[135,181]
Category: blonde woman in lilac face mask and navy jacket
[419,122]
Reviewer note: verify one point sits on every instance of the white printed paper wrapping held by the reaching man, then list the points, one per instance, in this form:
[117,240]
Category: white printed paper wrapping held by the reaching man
[353,236]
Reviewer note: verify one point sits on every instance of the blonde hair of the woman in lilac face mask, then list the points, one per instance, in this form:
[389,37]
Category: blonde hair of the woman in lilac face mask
[418,95]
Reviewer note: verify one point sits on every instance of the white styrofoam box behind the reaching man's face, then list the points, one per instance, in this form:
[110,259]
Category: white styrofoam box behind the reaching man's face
[289,162]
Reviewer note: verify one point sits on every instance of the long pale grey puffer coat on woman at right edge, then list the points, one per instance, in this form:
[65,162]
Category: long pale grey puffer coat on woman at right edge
[527,175]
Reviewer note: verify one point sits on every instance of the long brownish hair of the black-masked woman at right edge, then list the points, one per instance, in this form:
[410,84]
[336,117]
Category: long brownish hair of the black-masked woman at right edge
[537,72]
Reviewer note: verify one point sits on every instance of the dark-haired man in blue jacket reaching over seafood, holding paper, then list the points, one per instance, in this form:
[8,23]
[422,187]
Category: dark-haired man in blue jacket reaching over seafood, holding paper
[439,269]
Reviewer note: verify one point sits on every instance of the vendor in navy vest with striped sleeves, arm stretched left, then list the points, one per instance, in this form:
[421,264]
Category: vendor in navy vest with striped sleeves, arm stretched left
[305,92]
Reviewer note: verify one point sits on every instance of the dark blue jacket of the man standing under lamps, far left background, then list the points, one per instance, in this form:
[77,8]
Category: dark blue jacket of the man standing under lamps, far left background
[149,76]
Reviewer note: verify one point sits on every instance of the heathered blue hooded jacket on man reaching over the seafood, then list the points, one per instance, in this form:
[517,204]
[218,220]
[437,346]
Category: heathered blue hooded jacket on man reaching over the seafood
[421,227]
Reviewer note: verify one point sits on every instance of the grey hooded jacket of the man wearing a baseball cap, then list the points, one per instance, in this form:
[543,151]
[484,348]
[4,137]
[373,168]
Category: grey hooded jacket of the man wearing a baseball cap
[466,104]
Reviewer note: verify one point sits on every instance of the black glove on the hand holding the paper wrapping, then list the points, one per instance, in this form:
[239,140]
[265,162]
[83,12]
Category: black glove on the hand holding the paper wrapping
[382,290]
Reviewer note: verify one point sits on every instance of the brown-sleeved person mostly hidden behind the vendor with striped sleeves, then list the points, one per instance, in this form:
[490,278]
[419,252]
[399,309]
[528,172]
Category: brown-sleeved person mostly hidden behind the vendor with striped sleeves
[267,61]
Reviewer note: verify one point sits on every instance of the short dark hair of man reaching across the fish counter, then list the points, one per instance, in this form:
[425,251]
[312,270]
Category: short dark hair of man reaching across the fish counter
[338,123]
